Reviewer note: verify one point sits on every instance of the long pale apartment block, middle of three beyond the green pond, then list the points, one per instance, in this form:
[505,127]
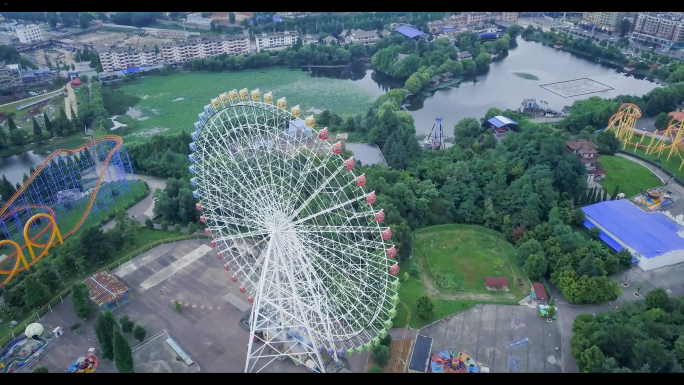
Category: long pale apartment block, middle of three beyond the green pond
[173,53]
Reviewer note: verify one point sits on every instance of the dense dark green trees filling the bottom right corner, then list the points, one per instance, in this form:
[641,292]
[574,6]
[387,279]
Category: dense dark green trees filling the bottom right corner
[640,337]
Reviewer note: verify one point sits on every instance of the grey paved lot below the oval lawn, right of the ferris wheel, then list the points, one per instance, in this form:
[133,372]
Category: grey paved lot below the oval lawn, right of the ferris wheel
[507,339]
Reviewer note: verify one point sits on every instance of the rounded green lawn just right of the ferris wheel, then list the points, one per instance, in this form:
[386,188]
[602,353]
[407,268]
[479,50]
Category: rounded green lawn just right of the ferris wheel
[458,257]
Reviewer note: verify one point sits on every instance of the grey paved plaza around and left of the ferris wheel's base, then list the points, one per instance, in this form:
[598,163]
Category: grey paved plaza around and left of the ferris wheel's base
[207,327]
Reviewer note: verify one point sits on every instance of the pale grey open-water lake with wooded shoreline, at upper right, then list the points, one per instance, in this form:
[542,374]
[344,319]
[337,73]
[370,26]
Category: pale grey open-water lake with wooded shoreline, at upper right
[505,85]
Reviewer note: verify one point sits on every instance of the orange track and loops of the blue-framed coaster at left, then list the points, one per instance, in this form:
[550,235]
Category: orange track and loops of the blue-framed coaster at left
[4,213]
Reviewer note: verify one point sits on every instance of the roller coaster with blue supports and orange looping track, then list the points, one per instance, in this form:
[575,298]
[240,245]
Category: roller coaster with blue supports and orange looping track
[50,194]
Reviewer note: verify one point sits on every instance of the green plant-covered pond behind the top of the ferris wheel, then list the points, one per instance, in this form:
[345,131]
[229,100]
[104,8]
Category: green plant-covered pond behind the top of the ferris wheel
[166,116]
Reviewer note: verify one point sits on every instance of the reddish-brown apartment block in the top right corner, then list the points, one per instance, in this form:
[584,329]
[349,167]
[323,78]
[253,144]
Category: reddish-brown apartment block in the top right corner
[663,28]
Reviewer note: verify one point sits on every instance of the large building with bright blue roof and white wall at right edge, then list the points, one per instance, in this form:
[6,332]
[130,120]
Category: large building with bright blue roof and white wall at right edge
[652,238]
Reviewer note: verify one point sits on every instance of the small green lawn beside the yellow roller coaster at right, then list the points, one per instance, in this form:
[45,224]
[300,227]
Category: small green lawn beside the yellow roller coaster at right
[629,175]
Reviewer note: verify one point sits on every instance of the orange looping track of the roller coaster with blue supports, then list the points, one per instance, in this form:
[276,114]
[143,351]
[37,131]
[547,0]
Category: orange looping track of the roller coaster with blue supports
[4,210]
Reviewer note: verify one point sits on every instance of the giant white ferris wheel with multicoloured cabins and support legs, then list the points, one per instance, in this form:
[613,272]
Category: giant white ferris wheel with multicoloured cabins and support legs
[295,228]
